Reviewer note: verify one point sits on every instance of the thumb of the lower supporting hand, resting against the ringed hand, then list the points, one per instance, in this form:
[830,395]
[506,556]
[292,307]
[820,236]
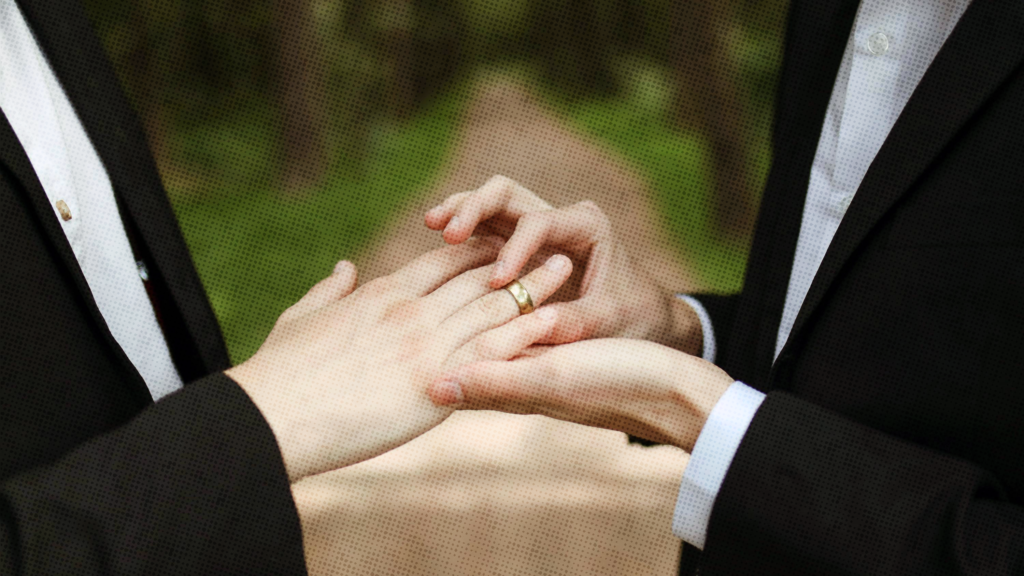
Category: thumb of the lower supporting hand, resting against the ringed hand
[504,386]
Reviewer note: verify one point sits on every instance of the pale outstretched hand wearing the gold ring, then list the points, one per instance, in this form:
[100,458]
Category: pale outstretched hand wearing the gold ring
[343,377]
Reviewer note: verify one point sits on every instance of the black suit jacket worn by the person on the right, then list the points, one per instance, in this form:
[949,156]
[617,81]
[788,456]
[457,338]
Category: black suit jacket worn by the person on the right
[892,437]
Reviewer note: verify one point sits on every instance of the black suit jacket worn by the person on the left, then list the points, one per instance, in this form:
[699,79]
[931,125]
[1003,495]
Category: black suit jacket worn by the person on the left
[96,478]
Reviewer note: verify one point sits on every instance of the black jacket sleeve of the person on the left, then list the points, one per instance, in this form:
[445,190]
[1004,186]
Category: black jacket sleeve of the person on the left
[194,485]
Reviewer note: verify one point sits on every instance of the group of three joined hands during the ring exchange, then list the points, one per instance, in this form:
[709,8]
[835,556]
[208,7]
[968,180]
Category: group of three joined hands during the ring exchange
[348,375]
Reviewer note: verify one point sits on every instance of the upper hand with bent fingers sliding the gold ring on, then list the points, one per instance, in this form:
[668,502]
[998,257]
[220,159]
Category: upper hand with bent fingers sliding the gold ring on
[614,299]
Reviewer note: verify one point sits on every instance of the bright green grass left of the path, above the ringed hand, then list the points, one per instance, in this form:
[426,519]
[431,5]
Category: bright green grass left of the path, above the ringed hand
[259,253]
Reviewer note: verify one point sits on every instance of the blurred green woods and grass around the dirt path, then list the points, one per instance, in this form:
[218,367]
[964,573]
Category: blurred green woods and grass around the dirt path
[288,133]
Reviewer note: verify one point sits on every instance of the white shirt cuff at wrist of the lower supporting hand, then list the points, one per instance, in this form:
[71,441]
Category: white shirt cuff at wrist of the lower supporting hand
[710,462]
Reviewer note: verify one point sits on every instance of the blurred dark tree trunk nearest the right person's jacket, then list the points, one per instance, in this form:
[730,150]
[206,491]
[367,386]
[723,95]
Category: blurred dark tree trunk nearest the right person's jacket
[711,104]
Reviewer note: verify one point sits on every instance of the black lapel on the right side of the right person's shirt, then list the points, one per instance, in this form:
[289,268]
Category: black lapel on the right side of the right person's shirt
[985,49]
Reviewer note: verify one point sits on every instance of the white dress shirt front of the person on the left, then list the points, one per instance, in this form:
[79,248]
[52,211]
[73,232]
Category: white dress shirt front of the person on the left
[80,192]
